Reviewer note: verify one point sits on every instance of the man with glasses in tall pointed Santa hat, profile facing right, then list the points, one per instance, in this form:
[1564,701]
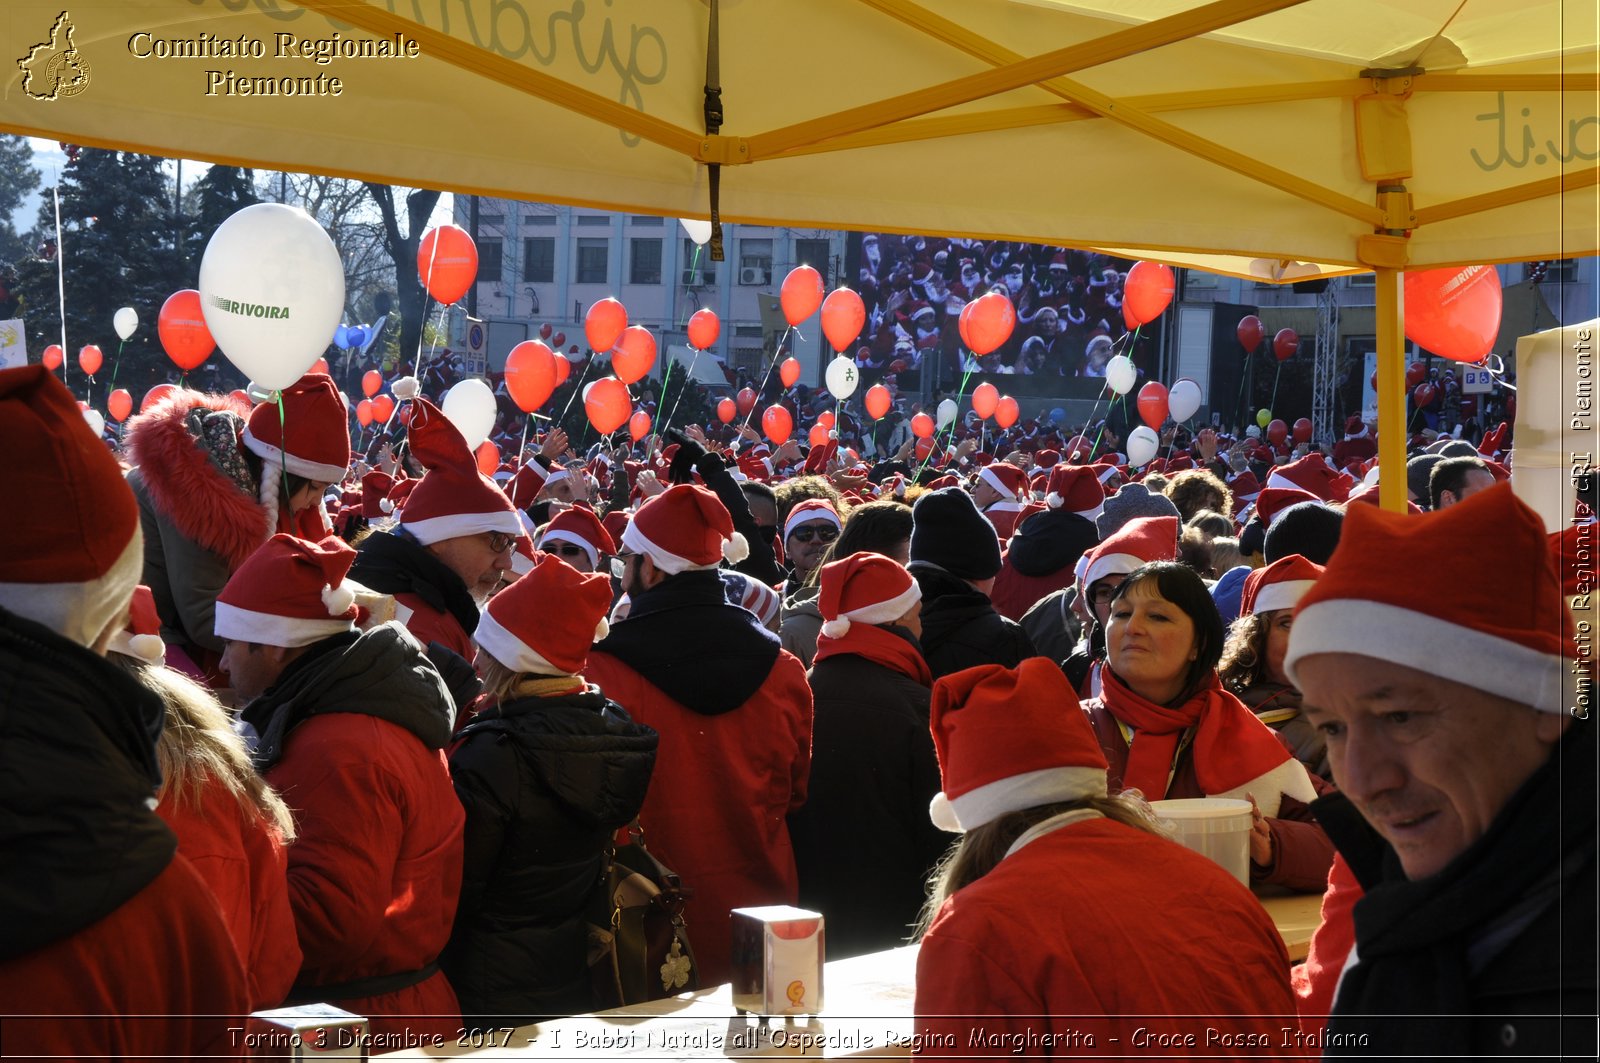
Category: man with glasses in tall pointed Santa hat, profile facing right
[454,542]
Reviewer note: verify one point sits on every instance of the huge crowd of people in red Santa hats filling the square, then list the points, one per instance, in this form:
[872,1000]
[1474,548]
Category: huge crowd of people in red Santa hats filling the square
[284,724]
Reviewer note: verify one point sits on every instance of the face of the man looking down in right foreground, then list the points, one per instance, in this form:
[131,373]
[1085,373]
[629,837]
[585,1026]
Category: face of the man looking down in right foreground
[1430,763]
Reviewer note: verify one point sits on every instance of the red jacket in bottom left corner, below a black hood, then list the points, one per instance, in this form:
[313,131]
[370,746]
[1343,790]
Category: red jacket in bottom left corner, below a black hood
[156,979]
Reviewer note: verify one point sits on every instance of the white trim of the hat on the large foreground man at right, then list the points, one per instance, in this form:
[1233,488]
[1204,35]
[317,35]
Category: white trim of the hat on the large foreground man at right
[1422,641]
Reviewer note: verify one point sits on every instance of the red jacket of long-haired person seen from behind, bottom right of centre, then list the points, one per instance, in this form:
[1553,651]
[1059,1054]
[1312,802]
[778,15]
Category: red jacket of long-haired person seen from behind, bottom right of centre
[1102,920]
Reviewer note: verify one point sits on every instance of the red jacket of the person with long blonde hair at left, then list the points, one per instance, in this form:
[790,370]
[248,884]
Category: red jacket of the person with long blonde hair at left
[244,860]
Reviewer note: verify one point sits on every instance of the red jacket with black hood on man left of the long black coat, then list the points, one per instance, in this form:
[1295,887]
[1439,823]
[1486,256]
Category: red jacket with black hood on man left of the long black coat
[724,785]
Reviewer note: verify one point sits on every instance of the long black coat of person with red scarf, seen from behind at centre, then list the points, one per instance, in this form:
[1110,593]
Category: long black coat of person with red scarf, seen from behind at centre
[863,841]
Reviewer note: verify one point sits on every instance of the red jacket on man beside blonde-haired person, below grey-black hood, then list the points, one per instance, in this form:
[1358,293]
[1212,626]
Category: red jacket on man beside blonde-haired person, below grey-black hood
[377,868]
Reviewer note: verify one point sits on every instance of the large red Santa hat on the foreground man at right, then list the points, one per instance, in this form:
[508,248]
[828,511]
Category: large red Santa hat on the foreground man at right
[1394,592]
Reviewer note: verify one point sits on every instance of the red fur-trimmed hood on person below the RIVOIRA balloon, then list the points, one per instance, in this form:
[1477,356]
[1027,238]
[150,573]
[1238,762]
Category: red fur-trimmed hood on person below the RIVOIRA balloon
[185,483]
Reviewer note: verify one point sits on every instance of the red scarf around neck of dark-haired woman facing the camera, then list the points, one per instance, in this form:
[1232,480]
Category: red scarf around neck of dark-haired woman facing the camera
[1231,745]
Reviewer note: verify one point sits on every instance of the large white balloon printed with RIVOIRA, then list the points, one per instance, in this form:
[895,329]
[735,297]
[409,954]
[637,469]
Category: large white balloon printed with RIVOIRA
[273,292]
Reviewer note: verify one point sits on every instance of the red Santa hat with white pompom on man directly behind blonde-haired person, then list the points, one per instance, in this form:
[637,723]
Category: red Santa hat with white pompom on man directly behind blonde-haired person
[290,593]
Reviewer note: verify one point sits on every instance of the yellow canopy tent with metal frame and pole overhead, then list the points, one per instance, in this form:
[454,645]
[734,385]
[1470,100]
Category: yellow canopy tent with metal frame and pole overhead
[1263,138]
